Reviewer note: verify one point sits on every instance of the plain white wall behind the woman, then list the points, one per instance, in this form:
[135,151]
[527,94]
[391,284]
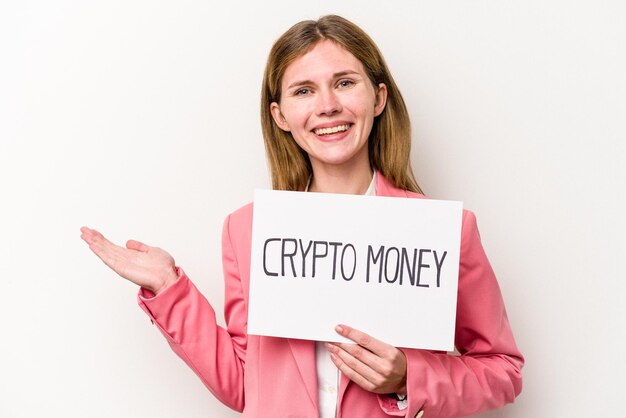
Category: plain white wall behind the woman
[140,118]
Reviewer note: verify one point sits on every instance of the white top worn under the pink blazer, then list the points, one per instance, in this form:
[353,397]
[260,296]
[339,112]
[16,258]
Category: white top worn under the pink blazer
[327,373]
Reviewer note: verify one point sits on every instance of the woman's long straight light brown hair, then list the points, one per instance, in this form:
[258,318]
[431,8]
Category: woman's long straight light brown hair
[389,143]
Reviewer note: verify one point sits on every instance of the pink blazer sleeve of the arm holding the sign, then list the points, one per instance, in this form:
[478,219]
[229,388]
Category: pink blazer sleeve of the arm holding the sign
[487,372]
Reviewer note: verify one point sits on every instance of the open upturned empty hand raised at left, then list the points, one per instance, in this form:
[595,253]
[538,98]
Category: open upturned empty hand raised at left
[149,267]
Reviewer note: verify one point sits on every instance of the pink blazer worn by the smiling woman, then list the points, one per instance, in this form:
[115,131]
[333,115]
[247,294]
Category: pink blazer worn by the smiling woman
[276,377]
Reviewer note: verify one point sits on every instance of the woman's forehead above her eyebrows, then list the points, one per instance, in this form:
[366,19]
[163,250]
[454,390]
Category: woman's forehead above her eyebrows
[323,61]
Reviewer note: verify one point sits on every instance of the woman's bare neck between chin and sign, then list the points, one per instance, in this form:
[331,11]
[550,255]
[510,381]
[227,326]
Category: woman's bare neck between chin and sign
[341,181]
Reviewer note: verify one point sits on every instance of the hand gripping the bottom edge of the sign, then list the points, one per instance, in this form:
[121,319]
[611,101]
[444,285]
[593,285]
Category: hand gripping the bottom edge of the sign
[372,364]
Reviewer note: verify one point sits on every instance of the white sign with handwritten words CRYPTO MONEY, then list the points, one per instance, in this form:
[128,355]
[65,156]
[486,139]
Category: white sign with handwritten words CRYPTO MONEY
[384,265]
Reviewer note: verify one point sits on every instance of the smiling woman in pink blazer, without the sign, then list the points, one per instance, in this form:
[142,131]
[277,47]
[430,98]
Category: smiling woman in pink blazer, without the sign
[333,121]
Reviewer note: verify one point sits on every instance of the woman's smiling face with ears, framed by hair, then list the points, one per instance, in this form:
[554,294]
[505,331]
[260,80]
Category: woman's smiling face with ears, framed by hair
[328,103]
